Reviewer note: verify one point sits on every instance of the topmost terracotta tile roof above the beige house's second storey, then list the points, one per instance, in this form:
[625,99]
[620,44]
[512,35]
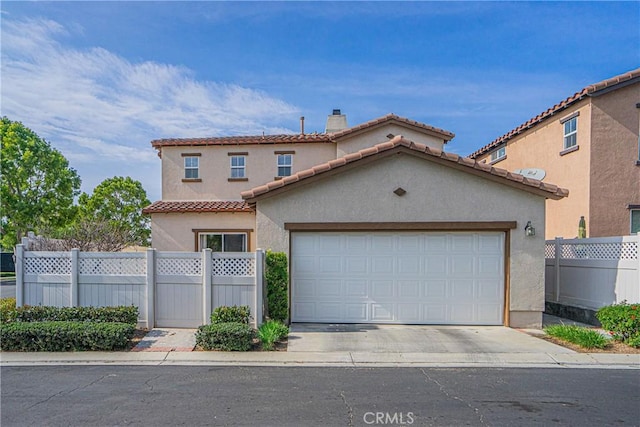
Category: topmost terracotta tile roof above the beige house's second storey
[298,138]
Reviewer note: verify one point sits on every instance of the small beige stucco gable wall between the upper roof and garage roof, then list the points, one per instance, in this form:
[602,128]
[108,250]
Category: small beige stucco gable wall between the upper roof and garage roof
[378,135]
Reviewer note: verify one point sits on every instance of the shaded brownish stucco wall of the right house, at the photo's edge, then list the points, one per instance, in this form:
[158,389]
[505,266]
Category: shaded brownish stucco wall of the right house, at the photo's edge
[615,176]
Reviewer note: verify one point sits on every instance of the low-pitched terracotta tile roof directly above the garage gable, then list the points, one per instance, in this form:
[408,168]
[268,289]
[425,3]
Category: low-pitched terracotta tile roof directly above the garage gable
[399,143]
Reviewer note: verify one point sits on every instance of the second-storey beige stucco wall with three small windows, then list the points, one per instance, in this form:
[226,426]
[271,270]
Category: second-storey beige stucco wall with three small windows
[215,169]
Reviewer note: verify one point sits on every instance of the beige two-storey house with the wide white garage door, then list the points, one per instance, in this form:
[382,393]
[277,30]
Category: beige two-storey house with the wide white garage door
[379,223]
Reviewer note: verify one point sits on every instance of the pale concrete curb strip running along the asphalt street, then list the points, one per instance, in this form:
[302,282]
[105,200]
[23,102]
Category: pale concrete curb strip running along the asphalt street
[329,359]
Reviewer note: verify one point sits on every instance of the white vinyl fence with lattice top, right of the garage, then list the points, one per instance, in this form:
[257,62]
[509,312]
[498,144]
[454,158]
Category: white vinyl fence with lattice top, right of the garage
[592,273]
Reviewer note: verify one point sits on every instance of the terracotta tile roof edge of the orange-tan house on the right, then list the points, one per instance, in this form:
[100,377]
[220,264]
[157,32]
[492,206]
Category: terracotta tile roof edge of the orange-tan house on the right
[587,91]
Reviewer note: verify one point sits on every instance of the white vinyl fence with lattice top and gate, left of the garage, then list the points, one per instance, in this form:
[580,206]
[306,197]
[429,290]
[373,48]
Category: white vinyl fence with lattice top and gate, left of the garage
[171,289]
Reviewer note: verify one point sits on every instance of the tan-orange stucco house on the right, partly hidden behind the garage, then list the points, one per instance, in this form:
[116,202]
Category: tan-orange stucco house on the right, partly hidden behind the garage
[588,143]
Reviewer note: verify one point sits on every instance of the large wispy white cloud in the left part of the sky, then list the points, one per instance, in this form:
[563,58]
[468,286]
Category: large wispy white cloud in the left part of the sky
[99,108]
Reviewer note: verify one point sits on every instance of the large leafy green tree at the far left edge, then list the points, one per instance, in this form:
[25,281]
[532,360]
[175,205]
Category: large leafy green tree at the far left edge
[37,186]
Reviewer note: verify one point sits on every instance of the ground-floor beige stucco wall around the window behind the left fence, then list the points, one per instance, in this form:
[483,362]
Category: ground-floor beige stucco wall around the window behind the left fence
[174,231]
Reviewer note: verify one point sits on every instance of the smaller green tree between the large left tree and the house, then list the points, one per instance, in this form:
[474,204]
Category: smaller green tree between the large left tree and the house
[119,201]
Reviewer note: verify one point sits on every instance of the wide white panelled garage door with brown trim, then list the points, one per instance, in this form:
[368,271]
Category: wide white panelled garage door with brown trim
[398,277]
